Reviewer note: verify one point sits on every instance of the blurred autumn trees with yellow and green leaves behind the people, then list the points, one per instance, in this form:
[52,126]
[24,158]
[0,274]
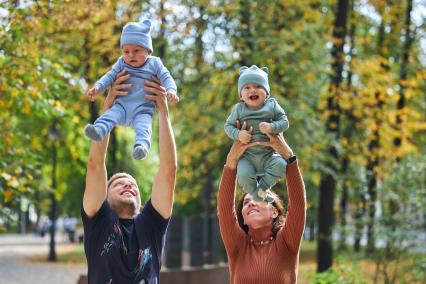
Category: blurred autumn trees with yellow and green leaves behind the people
[350,75]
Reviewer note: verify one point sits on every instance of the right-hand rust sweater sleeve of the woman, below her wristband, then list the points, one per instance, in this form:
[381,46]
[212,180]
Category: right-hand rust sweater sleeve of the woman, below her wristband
[292,231]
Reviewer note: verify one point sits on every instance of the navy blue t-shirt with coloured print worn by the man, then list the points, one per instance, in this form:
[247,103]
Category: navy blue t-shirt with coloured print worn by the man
[122,251]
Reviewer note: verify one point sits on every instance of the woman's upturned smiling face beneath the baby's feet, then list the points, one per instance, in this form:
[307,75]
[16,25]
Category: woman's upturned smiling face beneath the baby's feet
[257,214]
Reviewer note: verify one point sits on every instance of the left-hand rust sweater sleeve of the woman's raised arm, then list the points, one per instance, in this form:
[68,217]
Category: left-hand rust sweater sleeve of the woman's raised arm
[230,230]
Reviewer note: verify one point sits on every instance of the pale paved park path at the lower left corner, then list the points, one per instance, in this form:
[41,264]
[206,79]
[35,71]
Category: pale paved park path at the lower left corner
[17,268]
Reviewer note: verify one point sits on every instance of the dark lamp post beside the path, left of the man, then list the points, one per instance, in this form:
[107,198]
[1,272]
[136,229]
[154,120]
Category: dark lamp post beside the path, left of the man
[53,135]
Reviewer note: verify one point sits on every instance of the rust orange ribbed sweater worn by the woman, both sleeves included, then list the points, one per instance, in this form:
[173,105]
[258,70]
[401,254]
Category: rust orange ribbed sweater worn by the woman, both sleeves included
[276,261]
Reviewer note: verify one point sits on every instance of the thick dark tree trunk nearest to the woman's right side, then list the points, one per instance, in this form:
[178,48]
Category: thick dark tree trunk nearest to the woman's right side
[328,181]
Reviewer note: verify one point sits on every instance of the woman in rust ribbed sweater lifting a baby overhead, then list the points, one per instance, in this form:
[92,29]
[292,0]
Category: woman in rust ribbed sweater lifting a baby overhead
[264,246]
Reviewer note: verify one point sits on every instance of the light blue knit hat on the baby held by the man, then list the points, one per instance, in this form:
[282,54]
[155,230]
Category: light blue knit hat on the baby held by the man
[137,33]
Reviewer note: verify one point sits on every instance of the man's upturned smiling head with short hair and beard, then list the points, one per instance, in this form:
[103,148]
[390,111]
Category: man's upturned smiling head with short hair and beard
[123,196]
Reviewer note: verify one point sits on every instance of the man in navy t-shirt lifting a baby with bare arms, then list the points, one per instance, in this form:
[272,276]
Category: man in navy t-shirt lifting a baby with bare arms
[122,243]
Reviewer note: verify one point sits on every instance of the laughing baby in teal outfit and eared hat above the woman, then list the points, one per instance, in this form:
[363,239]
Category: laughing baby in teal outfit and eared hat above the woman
[260,167]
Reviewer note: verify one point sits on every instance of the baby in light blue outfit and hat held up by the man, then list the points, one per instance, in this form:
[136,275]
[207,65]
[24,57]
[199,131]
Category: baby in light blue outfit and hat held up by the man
[133,109]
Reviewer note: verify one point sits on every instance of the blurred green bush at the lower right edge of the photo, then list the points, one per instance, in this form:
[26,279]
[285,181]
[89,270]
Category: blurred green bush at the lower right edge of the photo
[402,203]
